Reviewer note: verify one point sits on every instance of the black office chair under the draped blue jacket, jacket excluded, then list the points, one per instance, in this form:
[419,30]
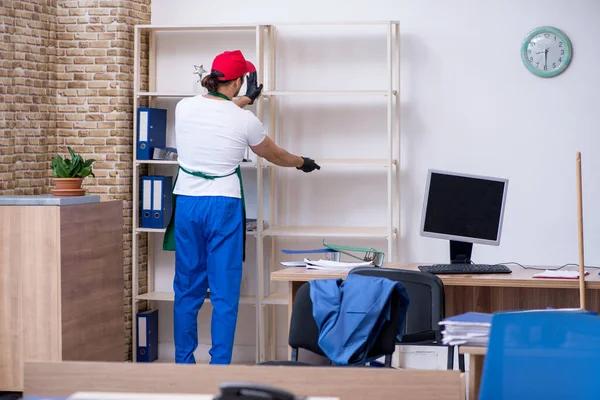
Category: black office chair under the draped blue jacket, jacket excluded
[304,333]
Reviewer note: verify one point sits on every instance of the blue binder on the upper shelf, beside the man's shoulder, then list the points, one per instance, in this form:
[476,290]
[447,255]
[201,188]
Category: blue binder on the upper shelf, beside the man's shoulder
[151,131]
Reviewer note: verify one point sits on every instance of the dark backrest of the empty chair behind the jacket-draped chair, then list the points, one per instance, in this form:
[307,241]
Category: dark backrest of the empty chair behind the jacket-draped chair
[426,294]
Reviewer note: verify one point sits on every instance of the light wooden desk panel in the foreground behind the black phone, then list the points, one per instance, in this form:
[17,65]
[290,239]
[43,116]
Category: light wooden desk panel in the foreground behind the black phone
[56,379]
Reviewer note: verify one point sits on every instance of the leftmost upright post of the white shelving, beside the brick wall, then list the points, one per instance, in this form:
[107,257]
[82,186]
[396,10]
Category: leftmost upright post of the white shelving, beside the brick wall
[134,217]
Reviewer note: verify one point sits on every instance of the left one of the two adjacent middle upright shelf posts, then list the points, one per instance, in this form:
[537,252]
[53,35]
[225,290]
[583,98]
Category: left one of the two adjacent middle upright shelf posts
[259,217]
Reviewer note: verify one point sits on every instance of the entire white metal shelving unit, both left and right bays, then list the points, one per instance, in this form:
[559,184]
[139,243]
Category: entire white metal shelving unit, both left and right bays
[266,63]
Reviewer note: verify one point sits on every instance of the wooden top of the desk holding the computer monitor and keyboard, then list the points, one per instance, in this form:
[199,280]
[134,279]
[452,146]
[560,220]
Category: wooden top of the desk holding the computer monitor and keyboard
[519,278]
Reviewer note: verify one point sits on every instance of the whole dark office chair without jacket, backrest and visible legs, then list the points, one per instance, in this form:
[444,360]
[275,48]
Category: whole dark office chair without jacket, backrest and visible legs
[426,308]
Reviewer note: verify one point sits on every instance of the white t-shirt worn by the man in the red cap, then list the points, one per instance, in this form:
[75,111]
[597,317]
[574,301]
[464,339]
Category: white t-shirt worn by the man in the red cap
[212,137]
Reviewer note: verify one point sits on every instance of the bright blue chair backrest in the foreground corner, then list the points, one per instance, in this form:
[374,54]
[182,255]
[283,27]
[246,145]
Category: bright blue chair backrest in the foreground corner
[542,355]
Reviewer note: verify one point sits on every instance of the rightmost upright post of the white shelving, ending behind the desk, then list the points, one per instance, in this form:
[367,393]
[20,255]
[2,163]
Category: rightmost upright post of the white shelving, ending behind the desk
[390,100]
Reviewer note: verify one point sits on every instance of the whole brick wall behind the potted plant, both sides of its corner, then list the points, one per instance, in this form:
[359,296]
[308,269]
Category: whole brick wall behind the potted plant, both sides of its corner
[66,68]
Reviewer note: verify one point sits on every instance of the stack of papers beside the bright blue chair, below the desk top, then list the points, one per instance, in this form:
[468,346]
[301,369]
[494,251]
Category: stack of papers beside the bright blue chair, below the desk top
[470,329]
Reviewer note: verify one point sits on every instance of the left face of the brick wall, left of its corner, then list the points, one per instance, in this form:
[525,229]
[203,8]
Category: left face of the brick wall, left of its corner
[27,94]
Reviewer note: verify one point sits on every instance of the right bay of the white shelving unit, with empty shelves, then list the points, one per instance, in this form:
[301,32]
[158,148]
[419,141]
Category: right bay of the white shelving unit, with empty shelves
[389,165]
